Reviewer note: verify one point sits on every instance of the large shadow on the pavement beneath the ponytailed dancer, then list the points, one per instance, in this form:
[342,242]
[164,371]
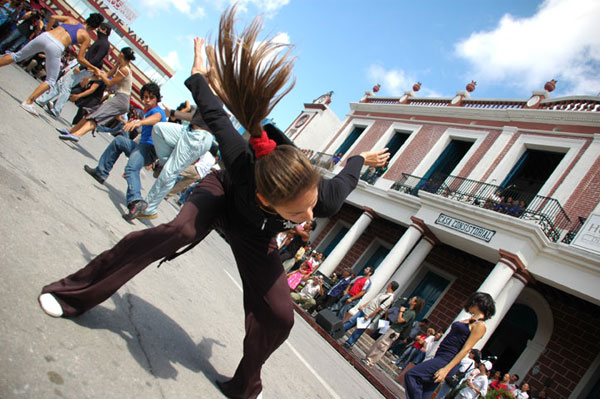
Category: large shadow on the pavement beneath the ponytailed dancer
[155,340]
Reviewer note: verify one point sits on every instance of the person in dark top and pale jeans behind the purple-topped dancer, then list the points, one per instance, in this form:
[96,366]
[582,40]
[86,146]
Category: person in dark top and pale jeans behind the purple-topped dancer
[61,92]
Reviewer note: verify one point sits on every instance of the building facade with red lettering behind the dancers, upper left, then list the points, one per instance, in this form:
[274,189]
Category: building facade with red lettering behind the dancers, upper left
[148,66]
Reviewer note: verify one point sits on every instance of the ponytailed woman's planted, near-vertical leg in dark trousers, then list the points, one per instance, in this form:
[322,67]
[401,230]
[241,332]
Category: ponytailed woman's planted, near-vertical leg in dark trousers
[267,304]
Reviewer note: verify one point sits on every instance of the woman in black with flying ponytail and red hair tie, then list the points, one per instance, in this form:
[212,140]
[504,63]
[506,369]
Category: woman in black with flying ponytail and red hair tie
[267,187]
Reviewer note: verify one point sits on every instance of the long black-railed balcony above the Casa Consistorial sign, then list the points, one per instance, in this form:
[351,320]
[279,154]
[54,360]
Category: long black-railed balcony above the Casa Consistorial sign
[544,211]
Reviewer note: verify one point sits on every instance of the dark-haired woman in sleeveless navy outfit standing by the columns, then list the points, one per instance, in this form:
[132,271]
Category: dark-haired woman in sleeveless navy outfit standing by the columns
[421,381]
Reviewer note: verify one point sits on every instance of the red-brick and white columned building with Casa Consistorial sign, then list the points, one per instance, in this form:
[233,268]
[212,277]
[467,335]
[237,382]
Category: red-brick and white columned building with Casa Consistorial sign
[492,195]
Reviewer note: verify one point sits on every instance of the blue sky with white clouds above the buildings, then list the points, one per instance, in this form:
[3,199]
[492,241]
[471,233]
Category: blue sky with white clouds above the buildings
[509,47]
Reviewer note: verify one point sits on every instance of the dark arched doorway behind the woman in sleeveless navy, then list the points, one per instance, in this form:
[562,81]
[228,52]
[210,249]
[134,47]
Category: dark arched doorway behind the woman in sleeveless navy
[511,337]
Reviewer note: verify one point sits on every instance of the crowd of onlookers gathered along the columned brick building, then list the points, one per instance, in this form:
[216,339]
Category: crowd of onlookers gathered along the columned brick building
[392,322]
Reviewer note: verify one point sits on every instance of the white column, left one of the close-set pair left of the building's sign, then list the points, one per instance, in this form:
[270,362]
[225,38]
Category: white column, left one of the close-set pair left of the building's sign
[389,264]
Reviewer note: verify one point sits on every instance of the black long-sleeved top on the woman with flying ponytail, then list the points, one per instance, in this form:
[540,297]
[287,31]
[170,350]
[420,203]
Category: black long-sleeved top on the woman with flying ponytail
[239,159]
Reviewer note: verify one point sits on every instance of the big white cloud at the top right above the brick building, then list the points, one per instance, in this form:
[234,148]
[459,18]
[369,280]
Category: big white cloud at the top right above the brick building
[561,40]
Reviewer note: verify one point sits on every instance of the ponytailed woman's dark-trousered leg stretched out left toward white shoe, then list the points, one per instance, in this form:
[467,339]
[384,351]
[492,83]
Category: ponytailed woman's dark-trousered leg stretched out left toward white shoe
[104,275]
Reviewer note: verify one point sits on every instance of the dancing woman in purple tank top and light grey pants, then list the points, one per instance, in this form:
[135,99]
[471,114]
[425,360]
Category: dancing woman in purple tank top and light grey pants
[53,43]
